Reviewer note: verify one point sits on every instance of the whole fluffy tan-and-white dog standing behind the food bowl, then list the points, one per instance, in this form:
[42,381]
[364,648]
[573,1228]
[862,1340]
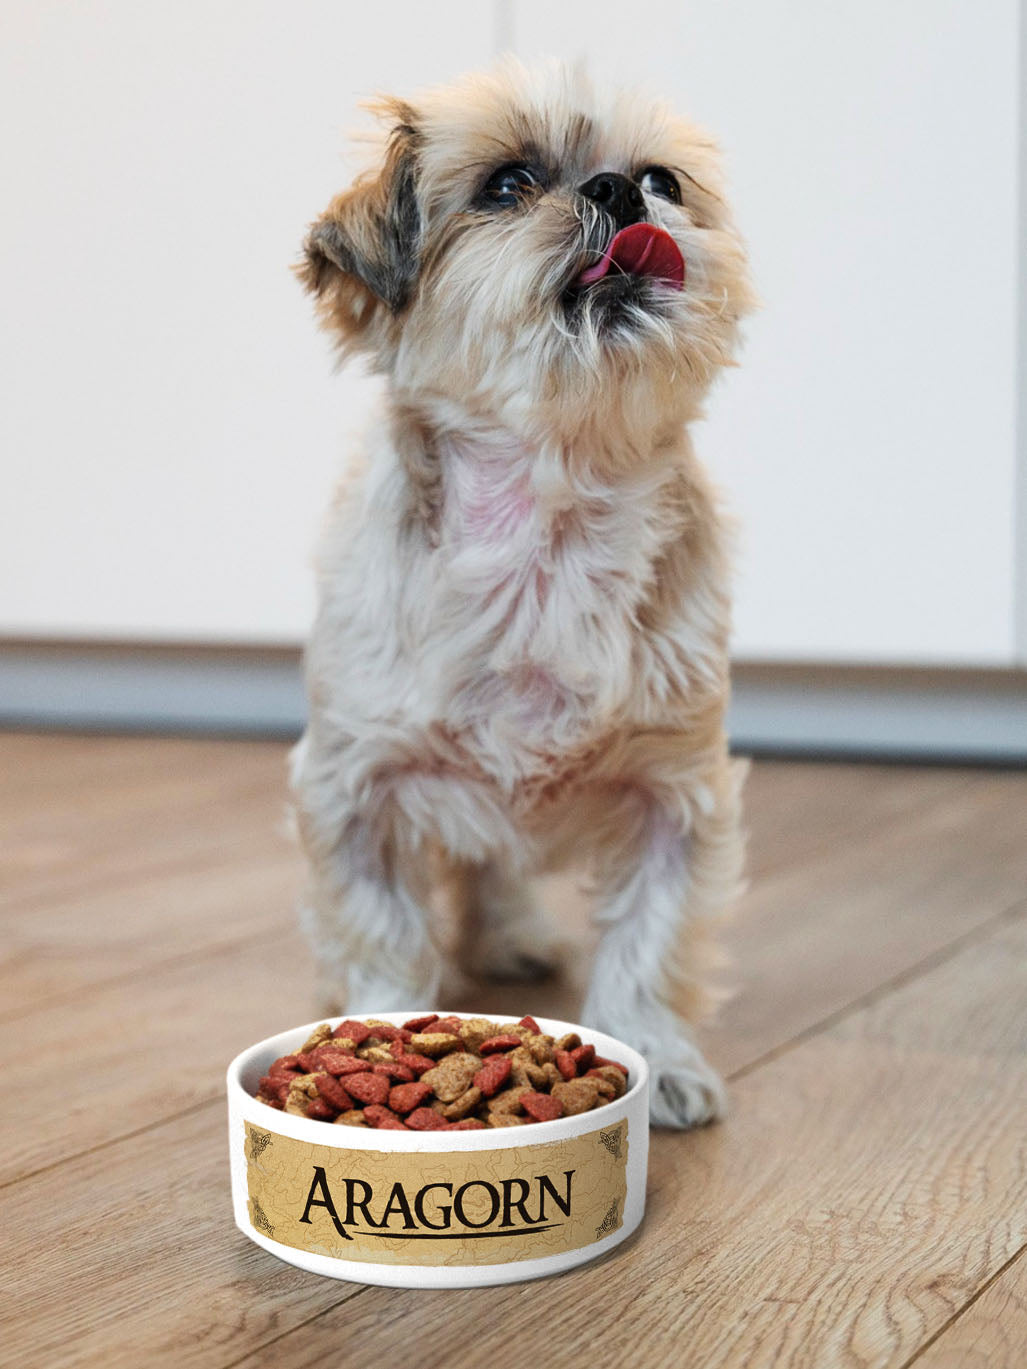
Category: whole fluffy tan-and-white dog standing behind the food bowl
[521,651]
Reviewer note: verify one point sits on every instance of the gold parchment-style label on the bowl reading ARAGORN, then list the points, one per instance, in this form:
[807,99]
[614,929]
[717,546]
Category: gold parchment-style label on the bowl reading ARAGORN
[438,1208]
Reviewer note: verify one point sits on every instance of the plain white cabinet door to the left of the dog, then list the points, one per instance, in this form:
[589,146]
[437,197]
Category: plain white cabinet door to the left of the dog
[170,428]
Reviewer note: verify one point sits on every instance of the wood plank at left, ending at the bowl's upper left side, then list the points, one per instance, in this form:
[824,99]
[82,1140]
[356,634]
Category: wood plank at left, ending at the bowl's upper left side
[142,1051]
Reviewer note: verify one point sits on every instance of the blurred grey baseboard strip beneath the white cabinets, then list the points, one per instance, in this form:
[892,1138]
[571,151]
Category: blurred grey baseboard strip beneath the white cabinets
[804,711]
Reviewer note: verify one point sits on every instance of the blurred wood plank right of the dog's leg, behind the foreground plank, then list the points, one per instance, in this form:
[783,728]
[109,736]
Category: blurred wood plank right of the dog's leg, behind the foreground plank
[820,934]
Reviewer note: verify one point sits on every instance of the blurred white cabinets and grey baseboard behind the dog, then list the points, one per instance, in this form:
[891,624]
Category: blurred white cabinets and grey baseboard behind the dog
[172,425]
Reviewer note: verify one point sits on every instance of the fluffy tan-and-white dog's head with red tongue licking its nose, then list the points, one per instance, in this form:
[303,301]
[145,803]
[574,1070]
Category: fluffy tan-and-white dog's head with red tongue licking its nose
[528,246]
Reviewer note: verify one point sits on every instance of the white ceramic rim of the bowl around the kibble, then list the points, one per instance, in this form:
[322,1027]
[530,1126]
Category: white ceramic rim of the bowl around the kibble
[255,1060]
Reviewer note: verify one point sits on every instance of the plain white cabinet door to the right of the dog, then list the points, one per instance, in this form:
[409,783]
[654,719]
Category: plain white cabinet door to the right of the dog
[869,440]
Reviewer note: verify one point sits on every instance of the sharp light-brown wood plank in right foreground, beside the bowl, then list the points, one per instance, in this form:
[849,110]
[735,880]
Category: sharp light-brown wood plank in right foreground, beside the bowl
[869,1184]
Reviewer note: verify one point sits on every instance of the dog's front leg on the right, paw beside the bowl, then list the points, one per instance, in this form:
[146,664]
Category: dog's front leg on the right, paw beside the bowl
[661,881]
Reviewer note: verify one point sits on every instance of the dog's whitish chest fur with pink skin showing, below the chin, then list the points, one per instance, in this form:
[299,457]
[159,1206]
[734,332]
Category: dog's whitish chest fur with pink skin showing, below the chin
[537,587]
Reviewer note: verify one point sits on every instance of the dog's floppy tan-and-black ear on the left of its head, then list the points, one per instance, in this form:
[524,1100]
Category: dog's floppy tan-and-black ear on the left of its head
[362,255]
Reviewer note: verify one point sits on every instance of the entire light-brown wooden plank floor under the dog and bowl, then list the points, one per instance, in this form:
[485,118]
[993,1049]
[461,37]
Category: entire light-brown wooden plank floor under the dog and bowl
[865,1204]
